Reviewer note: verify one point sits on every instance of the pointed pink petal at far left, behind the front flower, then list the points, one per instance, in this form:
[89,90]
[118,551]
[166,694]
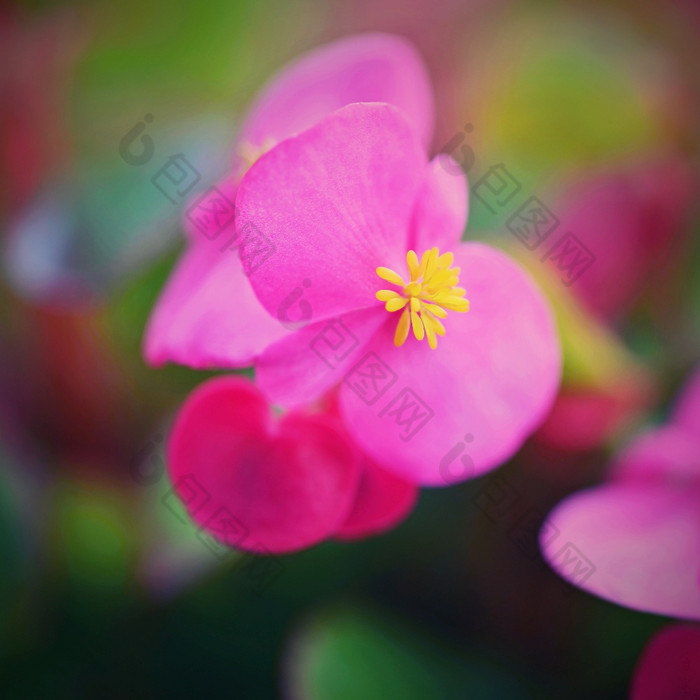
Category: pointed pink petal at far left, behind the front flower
[207,316]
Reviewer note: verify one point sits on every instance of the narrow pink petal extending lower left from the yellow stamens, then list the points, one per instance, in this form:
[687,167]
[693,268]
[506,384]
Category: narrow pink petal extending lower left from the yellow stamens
[301,367]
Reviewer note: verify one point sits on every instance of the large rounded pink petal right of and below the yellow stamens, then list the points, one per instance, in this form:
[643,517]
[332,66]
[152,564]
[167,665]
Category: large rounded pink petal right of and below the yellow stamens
[475,398]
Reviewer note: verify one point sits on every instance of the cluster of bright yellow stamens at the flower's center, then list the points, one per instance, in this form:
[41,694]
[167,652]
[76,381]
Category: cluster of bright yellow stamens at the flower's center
[426,298]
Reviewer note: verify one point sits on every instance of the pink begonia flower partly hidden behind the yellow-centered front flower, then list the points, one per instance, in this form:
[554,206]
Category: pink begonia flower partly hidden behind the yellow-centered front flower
[207,315]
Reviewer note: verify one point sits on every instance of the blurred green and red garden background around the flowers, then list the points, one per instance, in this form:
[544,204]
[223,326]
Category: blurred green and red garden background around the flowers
[106,590]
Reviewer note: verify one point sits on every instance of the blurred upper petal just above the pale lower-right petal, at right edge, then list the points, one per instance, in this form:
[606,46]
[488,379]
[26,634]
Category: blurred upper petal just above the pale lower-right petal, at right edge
[667,455]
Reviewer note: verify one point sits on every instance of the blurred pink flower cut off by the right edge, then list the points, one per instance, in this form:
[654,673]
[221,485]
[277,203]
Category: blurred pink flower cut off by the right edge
[636,539]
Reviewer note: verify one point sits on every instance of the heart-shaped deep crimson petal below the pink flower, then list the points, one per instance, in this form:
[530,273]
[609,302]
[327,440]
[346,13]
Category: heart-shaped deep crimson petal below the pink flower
[255,485]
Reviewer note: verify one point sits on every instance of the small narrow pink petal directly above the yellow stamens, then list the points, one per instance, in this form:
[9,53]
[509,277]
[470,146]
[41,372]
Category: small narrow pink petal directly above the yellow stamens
[441,208]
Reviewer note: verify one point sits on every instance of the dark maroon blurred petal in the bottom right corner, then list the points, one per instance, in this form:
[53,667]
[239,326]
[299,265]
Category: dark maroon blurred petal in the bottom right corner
[669,668]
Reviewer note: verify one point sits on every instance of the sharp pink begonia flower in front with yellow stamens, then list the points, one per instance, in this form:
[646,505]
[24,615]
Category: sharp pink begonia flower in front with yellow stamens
[368,261]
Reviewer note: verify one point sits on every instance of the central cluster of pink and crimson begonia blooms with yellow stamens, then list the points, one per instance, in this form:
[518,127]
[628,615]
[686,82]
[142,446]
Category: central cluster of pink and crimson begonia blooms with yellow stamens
[332,171]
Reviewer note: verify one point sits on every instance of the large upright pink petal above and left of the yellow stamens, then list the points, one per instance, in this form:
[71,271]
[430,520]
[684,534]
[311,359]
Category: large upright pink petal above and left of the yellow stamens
[335,203]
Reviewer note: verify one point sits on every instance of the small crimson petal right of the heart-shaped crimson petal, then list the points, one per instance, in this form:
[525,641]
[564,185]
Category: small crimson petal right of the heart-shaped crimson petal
[383,500]
